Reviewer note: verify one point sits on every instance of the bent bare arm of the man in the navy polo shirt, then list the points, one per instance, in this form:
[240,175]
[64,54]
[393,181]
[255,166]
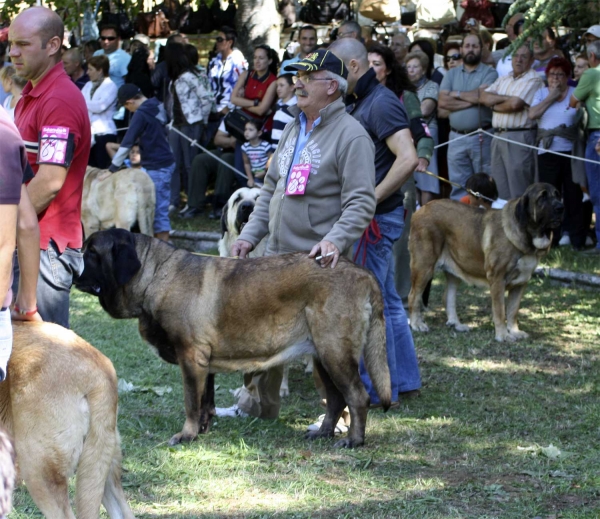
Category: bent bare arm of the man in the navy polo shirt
[401,145]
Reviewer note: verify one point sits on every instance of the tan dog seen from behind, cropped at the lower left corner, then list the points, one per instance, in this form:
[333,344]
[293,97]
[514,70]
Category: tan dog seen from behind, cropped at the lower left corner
[59,403]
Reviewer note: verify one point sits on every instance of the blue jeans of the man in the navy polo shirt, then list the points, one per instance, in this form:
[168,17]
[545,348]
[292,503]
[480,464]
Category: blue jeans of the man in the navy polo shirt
[402,358]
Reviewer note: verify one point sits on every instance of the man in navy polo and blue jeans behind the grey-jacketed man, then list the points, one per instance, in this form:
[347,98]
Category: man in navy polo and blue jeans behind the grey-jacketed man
[380,112]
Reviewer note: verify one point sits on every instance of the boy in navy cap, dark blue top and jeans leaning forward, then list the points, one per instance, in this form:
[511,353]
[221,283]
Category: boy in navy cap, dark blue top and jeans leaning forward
[147,128]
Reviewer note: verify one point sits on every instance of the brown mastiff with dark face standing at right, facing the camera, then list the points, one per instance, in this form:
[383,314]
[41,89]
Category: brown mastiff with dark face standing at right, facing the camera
[495,248]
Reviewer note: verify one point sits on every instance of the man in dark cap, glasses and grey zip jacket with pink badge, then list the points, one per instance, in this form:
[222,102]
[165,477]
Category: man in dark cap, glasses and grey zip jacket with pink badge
[318,195]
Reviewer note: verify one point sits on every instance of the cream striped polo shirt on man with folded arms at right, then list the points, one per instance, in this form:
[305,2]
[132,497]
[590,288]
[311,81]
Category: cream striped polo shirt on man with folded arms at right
[524,87]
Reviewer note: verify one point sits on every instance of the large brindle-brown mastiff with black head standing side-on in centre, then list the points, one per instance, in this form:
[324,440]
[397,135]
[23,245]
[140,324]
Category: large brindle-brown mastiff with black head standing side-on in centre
[214,315]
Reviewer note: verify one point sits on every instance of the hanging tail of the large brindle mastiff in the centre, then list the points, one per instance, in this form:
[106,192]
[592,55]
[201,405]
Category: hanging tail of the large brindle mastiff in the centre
[375,352]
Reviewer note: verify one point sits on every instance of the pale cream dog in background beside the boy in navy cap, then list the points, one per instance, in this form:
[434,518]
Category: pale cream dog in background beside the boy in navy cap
[118,200]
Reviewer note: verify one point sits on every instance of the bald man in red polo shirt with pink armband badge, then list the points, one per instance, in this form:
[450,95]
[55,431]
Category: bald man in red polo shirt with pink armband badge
[53,121]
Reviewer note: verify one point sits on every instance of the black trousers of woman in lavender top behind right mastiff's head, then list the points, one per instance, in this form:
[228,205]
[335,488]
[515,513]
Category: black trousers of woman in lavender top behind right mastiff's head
[556,170]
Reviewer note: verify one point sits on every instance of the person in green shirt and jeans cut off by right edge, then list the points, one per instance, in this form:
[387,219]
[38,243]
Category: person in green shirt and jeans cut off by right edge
[588,92]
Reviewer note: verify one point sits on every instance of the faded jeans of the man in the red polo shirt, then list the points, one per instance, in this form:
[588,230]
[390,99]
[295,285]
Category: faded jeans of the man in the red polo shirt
[57,272]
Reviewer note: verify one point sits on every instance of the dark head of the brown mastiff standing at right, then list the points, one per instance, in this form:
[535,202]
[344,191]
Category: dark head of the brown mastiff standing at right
[540,211]
